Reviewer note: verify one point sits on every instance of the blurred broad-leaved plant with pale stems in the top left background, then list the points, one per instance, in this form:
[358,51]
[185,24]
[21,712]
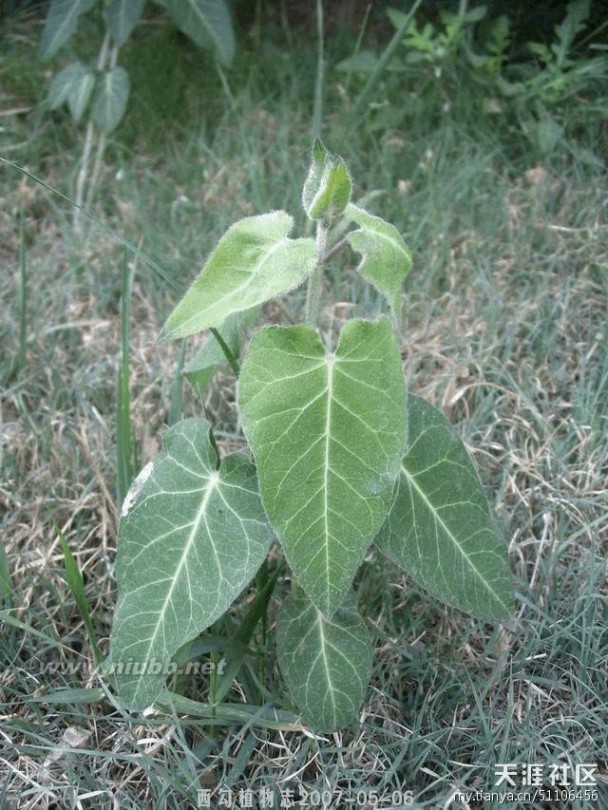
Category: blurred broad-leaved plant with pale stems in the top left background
[99,90]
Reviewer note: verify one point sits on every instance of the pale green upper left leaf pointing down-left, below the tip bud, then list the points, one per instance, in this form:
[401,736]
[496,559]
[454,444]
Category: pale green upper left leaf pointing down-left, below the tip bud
[253,261]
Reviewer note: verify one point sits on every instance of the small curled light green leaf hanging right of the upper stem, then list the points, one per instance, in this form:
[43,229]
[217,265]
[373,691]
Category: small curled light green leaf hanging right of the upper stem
[386,259]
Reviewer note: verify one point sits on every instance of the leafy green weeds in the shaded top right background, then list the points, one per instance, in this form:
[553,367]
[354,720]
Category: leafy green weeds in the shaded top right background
[555,87]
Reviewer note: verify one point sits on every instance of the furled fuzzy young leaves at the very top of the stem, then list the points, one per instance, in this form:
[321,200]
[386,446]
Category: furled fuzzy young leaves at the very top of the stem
[327,189]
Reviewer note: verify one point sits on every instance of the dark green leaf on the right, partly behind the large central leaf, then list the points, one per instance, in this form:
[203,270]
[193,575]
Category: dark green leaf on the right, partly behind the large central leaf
[439,528]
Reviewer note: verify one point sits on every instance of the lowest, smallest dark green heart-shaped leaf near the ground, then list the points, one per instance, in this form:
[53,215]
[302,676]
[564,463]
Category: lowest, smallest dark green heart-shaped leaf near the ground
[326,663]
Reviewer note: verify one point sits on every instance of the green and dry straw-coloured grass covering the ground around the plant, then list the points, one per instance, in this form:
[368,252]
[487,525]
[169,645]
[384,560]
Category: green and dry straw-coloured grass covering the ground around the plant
[506,331]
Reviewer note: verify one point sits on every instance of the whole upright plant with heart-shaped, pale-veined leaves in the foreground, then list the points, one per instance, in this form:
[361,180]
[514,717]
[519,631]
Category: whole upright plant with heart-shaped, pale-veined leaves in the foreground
[344,457]
